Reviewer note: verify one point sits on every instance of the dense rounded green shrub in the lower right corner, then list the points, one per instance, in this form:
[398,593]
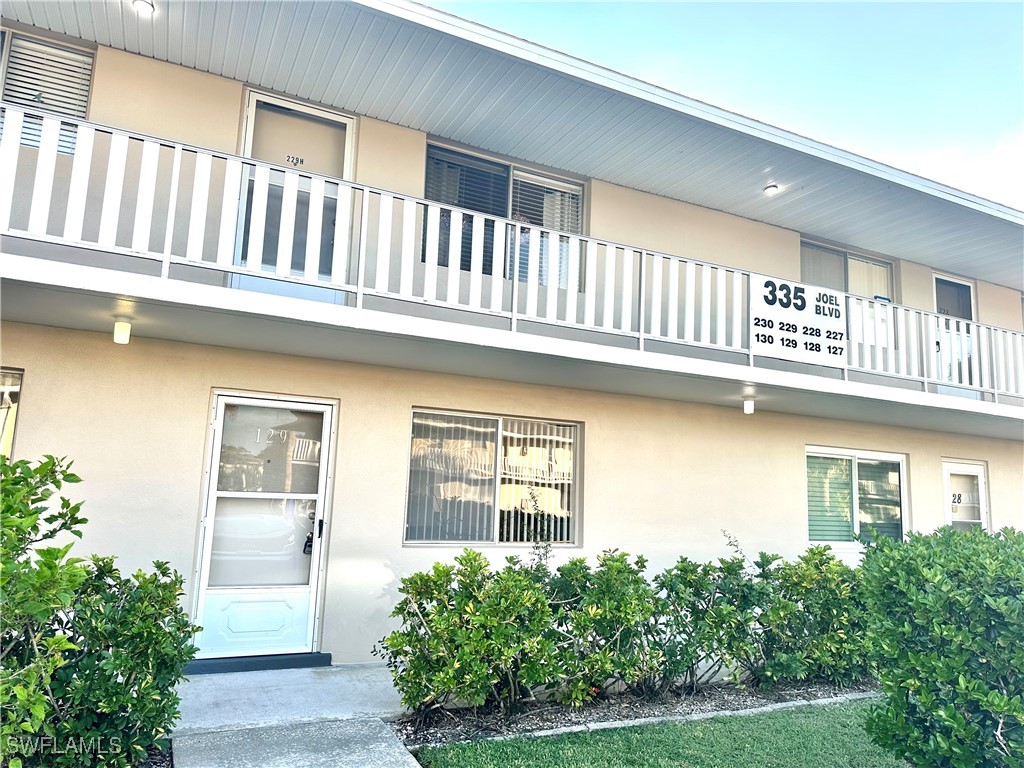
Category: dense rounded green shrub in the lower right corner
[947,631]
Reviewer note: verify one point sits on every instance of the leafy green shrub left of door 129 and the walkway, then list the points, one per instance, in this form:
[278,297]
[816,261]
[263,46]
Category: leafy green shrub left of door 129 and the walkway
[90,659]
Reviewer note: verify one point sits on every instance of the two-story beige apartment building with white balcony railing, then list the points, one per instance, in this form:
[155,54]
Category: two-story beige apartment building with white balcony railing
[317,294]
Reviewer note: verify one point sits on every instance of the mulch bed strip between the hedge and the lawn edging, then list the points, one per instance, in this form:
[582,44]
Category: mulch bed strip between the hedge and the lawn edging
[467,726]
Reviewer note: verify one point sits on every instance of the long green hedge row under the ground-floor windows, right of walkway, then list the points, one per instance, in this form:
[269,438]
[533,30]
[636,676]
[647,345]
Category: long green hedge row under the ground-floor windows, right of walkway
[482,637]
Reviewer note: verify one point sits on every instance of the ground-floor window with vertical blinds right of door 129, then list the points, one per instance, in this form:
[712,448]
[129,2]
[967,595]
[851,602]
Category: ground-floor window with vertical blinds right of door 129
[482,479]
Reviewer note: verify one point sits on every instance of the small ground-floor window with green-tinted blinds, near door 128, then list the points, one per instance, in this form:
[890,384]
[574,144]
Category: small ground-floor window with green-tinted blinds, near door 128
[848,494]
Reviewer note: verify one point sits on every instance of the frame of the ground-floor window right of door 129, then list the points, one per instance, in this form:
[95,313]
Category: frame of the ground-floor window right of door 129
[501,419]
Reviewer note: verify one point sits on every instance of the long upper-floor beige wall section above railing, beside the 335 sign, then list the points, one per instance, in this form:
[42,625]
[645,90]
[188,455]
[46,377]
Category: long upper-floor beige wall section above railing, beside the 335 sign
[636,219]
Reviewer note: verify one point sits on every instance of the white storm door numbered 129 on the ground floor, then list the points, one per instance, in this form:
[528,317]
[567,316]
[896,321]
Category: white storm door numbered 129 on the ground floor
[264,526]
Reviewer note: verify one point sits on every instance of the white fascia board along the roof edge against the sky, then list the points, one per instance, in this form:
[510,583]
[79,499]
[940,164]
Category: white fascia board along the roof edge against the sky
[606,78]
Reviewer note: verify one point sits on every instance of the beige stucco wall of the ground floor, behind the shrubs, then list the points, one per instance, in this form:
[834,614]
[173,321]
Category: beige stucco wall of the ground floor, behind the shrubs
[660,478]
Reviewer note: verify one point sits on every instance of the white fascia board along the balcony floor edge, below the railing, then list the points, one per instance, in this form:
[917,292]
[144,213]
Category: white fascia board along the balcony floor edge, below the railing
[218,300]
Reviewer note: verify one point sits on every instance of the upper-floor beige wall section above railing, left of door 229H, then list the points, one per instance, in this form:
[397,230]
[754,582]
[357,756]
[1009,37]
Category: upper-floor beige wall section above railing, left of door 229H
[165,101]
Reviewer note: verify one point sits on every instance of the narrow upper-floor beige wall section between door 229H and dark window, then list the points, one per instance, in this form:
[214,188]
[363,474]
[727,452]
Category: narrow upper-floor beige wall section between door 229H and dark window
[392,157]
